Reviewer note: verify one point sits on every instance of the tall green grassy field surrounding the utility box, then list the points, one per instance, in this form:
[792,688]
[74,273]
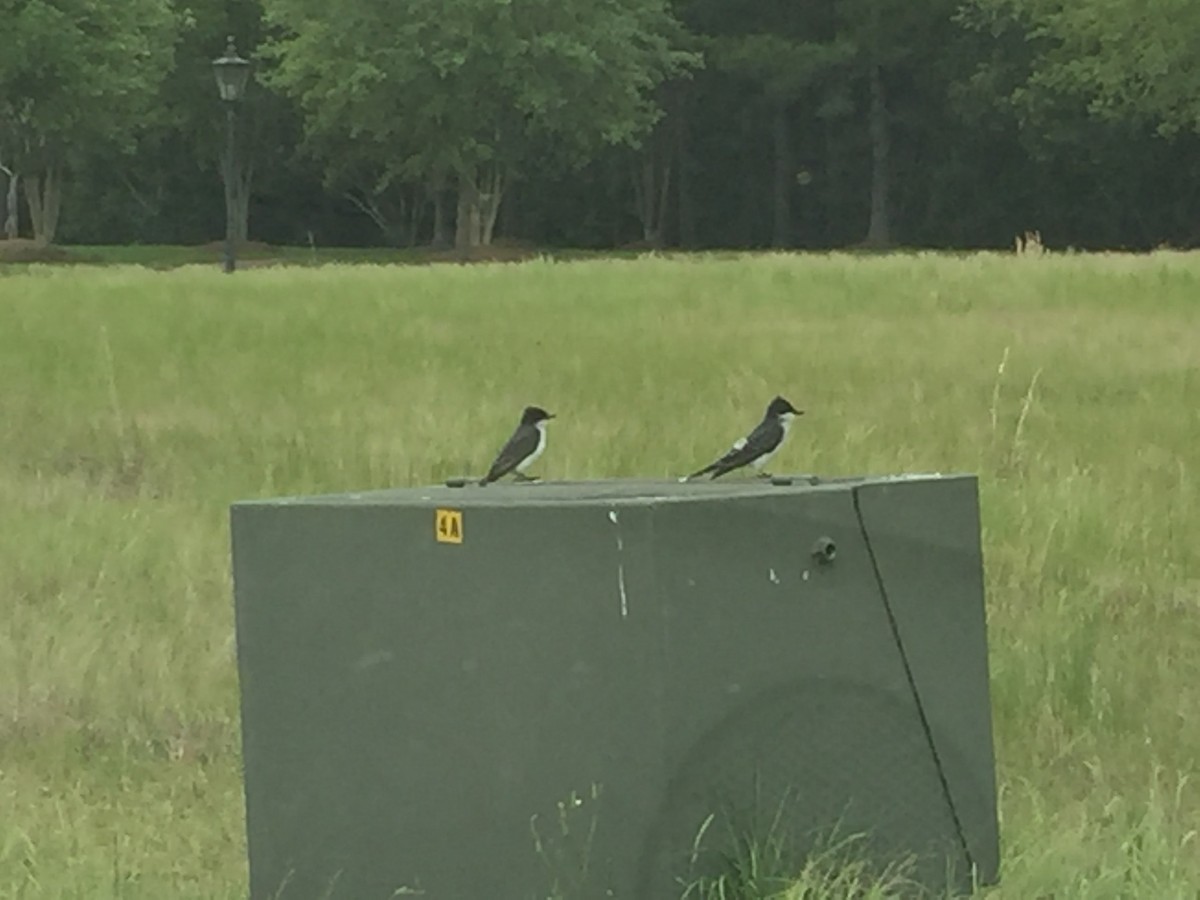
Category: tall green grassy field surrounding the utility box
[135,406]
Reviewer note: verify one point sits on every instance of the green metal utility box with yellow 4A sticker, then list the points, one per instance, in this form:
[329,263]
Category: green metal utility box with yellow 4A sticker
[577,691]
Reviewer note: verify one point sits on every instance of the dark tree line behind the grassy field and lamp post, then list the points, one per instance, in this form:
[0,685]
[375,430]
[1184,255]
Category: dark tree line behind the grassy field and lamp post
[607,123]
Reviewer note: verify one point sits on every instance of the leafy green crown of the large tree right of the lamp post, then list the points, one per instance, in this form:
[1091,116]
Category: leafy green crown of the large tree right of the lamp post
[448,87]
